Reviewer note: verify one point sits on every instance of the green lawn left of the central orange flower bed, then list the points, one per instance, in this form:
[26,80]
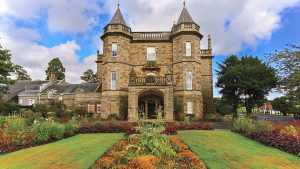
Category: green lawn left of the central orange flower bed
[80,151]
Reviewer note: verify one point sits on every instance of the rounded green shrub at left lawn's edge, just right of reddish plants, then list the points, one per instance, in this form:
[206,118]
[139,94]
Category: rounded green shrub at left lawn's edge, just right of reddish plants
[42,132]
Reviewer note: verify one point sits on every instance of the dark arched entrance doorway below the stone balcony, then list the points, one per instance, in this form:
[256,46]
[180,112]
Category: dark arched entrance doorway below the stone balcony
[151,102]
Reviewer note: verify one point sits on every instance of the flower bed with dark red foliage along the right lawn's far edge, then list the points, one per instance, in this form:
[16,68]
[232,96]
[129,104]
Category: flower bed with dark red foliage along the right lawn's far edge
[282,135]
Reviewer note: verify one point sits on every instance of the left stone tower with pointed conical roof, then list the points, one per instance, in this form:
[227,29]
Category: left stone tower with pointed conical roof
[113,67]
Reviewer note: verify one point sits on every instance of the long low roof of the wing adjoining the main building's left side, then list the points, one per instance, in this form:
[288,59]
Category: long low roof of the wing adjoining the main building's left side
[74,88]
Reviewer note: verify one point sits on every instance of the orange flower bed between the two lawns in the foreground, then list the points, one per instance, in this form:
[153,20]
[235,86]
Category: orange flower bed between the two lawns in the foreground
[118,158]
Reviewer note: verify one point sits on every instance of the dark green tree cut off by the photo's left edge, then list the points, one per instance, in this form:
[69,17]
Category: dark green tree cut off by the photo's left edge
[6,68]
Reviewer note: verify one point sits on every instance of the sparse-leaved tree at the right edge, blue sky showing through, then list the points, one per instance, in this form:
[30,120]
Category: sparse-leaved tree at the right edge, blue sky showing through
[287,63]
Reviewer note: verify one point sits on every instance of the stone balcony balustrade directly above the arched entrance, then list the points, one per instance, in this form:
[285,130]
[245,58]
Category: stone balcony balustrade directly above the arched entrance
[147,81]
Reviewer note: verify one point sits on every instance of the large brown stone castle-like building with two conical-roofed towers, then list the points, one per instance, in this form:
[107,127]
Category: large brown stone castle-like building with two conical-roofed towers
[143,73]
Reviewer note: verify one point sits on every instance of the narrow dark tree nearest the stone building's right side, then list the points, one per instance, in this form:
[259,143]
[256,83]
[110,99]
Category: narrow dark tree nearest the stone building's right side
[228,82]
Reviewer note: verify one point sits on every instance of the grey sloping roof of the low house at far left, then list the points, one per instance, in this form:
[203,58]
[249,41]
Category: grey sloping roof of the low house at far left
[19,86]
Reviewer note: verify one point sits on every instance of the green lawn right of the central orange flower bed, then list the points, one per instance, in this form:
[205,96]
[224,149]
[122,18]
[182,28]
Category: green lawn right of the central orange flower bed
[223,149]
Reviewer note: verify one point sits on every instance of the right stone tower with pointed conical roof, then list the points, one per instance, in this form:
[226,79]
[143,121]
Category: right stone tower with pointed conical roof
[187,66]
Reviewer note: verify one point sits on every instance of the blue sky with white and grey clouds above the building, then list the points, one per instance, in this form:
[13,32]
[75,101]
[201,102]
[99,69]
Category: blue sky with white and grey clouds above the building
[36,31]
